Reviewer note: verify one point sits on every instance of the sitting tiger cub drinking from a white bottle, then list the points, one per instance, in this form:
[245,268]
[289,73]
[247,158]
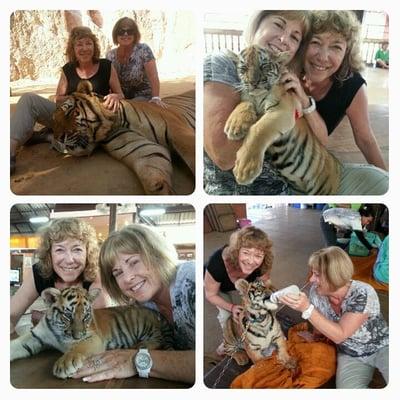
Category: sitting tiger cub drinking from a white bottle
[258,332]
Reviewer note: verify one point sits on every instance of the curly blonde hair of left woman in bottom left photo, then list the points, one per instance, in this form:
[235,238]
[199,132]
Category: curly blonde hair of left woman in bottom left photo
[68,228]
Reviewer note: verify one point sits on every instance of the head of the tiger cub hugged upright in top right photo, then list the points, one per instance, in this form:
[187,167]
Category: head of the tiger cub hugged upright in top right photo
[259,68]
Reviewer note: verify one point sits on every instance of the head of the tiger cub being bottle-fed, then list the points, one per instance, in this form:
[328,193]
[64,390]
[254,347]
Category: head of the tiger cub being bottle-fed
[255,296]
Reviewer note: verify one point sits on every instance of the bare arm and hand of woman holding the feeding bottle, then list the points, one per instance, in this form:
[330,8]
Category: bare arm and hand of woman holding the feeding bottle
[335,331]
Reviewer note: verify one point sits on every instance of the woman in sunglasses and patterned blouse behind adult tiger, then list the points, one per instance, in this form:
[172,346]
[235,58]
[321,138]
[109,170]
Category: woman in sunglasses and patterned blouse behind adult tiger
[135,63]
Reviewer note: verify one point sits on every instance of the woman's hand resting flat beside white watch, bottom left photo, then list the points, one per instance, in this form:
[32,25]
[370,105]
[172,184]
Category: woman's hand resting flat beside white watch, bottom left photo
[108,365]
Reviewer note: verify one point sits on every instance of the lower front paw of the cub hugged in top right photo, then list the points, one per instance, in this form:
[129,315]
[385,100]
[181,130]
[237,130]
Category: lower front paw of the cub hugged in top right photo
[248,166]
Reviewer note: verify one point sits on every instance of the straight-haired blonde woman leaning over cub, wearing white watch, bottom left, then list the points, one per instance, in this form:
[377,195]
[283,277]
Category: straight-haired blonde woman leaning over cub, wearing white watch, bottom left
[138,265]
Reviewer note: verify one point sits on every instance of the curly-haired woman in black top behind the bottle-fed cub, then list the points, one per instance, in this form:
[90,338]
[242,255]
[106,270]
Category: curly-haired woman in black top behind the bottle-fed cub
[248,256]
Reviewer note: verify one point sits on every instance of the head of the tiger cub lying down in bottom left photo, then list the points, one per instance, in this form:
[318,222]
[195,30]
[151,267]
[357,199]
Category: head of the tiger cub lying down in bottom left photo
[70,311]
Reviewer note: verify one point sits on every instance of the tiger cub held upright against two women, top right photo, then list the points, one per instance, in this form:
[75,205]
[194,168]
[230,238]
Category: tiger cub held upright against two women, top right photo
[267,119]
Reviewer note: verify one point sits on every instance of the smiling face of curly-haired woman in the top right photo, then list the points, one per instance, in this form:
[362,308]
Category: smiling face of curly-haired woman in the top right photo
[324,56]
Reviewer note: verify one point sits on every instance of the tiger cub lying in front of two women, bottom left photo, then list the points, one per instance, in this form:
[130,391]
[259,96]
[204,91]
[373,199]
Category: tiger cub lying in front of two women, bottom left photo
[72,327]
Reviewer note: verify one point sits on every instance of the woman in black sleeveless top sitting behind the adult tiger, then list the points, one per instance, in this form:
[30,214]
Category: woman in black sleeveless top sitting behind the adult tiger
[84,62]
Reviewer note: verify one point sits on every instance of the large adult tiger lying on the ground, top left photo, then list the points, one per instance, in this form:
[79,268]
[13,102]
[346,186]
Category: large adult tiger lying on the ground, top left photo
[142,135]
